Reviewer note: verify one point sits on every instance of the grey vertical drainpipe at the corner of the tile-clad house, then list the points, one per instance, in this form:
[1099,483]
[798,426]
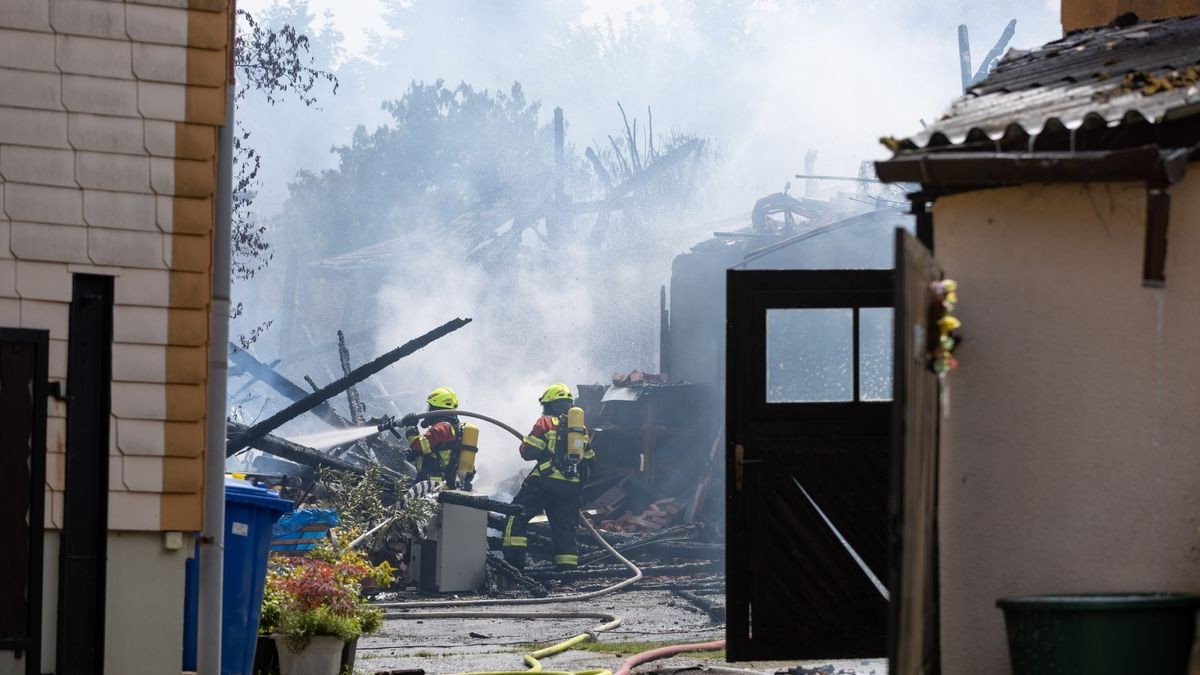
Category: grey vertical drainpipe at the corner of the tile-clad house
[213,537]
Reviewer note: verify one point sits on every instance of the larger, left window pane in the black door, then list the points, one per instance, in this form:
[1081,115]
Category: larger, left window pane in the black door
[811,356]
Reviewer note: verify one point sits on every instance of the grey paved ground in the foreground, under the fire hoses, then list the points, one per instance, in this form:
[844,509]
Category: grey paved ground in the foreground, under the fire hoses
[466,646]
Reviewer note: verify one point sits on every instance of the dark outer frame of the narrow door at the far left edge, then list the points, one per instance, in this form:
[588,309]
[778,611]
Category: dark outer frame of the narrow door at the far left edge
[32,646]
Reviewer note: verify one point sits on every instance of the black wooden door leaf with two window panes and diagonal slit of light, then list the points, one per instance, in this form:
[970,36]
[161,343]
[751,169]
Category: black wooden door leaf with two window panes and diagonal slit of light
[811,416]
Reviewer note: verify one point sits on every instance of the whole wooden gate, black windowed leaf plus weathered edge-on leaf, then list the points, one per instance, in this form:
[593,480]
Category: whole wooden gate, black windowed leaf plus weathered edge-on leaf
[832,417]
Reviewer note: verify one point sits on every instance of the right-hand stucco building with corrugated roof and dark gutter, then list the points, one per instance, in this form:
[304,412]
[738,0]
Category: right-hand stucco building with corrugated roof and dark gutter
[1063,194]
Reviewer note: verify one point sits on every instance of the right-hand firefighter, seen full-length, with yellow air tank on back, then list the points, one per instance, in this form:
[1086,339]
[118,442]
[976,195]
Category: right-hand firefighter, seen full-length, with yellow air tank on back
[555,486]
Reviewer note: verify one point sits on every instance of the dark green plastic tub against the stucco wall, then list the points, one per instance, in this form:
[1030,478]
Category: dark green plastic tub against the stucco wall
[1101,634]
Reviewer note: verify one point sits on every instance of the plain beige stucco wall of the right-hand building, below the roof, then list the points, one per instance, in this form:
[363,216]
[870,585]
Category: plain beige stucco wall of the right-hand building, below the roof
[1071,457]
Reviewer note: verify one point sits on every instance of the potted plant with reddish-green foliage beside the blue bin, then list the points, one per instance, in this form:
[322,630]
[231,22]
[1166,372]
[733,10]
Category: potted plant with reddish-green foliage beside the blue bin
[314,606]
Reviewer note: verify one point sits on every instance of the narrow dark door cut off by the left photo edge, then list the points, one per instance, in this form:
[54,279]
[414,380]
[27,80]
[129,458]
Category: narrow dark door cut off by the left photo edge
[23,390]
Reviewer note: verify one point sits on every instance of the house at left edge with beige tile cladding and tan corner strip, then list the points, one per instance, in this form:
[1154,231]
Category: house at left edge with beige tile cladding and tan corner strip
[110,114]
